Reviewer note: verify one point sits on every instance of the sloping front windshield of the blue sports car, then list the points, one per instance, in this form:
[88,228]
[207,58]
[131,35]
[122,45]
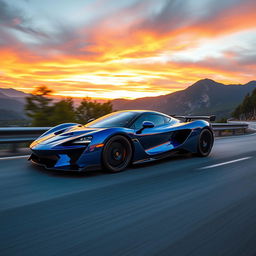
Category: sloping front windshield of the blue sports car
[116,119]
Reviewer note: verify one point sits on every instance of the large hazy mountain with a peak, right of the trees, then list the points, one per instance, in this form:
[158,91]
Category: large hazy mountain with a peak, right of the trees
[203,97]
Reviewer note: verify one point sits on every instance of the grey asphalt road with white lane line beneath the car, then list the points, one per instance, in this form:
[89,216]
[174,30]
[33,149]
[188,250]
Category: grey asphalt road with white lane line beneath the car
[180,206]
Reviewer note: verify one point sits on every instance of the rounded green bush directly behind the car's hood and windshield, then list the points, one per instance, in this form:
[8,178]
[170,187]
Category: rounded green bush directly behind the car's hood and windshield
[91,110]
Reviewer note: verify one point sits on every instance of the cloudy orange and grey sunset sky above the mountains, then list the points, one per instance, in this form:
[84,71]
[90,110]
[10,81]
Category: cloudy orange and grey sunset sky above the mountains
[130,48]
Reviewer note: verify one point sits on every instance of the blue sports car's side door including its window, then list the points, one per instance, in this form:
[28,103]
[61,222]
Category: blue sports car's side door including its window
[152,137]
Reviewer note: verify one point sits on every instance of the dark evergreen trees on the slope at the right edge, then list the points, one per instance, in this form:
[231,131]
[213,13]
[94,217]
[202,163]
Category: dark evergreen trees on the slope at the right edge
[247,109]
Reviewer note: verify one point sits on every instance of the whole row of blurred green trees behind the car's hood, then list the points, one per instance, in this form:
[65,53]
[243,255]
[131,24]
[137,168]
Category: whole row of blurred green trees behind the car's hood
[43,111]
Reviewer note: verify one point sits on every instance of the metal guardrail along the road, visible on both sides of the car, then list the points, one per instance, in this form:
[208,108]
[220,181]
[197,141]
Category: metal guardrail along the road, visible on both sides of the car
[16,135]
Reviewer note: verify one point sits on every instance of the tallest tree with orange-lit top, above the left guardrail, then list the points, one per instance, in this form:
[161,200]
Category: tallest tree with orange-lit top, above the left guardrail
[38,106]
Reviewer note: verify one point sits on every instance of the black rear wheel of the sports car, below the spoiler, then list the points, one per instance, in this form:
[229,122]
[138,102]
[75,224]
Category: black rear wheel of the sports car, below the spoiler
[205,143]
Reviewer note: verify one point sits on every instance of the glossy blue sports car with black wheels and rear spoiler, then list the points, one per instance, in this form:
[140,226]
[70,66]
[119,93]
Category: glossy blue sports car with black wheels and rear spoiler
[114,141]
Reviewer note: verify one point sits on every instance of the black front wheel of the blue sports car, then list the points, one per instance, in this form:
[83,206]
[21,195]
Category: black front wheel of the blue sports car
[117,154]
